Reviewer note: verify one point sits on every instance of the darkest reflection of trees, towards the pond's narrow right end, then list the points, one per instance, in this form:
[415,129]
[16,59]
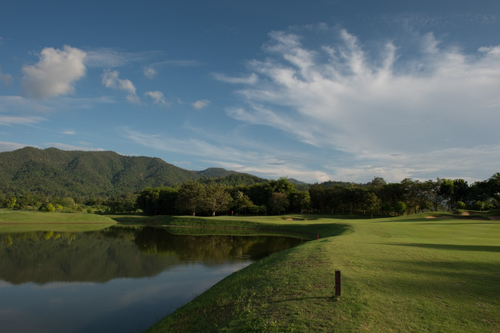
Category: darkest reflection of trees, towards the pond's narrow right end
[211,249]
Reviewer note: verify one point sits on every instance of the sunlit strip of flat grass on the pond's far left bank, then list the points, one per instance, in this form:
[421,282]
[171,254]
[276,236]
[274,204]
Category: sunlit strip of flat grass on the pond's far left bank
[25,221]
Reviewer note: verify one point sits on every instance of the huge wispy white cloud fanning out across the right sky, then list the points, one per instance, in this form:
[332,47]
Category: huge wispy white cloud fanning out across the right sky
[371,106]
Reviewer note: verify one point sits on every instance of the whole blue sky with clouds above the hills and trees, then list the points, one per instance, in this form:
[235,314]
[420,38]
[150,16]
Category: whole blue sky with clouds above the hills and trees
[312,90]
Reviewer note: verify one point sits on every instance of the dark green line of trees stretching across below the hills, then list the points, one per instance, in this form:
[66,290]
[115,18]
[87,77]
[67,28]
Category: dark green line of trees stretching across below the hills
[282,197]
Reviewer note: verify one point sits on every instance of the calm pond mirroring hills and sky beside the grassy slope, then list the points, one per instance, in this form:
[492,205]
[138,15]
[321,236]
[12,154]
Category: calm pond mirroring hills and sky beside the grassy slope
[116,279]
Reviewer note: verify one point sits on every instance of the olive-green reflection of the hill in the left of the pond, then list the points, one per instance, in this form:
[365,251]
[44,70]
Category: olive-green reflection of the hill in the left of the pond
[44,257]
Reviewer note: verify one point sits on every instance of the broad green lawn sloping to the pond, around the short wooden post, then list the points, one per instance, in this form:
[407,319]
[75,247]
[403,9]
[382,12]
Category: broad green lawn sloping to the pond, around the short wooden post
[398,274]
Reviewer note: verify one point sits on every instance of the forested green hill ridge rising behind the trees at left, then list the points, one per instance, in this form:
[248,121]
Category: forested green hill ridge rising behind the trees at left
[98,173]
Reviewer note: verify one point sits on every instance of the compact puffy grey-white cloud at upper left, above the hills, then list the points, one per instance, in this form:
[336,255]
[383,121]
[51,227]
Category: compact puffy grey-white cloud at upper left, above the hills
[55,73]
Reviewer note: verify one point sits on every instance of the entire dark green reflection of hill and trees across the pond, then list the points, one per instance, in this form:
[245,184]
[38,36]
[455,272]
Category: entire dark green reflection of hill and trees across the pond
[100,256]
